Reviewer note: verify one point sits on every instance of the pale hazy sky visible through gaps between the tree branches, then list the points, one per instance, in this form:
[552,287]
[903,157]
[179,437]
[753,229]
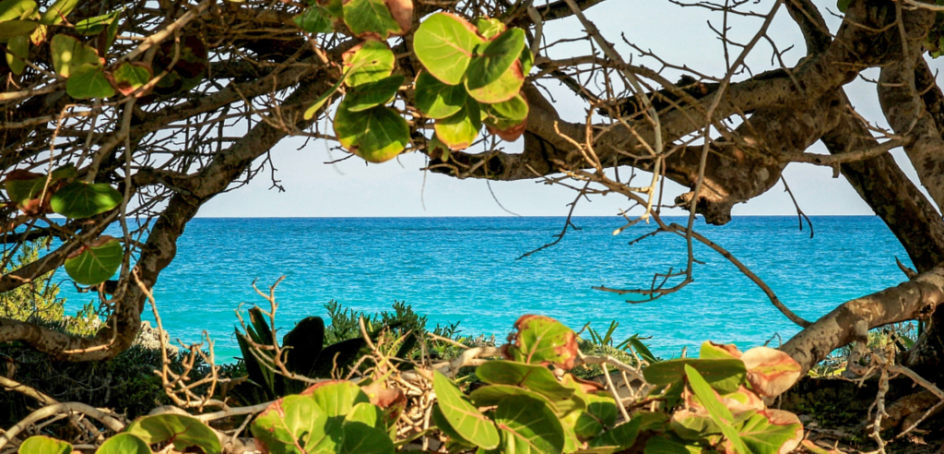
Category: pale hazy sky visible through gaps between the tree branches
[399,188]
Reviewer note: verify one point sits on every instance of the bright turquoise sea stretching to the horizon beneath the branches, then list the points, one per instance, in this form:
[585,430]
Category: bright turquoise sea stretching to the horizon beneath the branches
[465,269]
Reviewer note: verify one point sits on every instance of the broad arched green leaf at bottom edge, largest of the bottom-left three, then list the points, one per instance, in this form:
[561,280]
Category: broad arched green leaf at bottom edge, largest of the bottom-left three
[185,432]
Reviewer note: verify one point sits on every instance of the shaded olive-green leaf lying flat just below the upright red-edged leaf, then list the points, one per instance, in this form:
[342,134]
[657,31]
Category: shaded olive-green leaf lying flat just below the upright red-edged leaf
[534,377]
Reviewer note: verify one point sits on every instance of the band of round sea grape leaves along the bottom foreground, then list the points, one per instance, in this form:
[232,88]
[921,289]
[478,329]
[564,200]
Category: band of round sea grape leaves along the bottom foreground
[712,404]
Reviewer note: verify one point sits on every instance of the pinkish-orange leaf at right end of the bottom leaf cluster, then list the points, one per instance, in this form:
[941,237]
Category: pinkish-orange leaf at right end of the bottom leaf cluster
[769,371]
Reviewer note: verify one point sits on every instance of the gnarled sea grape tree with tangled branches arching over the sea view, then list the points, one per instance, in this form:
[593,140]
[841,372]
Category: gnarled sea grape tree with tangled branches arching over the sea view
[118,112]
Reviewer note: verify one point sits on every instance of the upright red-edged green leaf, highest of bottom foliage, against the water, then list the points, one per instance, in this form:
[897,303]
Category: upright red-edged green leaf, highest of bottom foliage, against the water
[542,340]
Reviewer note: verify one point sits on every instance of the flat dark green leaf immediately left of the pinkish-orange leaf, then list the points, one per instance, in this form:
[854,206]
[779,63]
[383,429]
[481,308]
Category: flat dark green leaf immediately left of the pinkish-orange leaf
[724,375]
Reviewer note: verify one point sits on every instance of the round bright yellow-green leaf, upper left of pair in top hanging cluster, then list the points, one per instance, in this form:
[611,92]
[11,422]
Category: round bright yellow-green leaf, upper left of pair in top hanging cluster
[445,43]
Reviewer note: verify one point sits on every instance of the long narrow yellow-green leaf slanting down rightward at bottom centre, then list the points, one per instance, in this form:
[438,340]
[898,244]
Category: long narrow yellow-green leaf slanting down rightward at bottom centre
[462,416]
